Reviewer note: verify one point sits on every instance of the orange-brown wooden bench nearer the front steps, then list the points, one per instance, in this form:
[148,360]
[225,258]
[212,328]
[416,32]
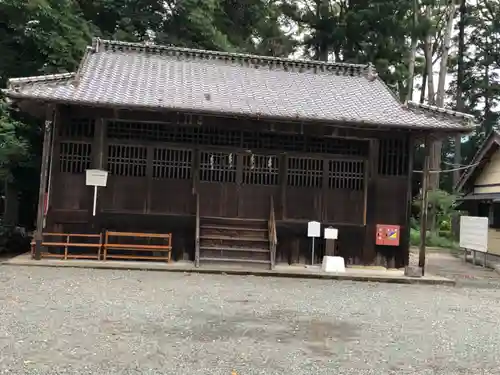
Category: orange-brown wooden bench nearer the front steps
[127,241]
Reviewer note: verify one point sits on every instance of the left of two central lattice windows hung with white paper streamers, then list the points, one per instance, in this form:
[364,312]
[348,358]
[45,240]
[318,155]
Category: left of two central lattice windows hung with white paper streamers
[217,166]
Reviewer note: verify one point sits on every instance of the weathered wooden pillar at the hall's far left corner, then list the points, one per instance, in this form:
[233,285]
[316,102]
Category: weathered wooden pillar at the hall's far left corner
[44,169]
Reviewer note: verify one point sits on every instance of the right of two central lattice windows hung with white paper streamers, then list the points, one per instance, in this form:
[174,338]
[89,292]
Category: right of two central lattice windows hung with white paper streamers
[261,169]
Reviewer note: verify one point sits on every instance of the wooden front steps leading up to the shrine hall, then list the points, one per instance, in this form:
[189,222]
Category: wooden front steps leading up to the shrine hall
[234,242]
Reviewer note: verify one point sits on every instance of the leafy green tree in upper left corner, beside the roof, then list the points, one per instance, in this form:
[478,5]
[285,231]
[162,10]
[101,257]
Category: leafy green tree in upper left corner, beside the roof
[40,36]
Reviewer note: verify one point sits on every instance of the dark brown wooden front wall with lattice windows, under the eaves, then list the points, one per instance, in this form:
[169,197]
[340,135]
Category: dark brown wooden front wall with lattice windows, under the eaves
[342,177]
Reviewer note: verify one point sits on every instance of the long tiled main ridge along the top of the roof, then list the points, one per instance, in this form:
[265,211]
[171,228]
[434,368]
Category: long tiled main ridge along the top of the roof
[354,69]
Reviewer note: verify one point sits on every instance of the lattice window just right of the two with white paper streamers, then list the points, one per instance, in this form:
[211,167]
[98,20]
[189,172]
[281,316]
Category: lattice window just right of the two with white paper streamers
[305,172]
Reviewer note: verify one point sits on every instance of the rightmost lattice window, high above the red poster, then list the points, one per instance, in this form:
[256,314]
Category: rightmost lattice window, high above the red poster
[393,157]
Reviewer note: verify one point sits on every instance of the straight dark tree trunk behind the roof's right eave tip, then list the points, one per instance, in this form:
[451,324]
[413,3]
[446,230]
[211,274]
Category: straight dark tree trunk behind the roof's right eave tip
[460,82]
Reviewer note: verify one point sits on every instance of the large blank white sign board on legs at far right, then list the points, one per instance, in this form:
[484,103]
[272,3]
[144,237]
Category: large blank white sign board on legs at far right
[474,233]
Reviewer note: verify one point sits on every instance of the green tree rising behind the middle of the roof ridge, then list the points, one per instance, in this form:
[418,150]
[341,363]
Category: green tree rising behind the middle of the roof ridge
[251,26]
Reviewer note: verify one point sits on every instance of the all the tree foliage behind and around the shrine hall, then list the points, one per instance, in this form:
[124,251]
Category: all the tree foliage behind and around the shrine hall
[47,36]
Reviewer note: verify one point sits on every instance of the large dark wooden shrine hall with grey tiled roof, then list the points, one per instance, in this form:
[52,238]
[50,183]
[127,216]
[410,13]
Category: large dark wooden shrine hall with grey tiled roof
[233,154]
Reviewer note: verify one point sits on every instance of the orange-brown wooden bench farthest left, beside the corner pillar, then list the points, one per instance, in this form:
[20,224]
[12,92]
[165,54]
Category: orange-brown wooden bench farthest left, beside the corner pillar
[65,242]
